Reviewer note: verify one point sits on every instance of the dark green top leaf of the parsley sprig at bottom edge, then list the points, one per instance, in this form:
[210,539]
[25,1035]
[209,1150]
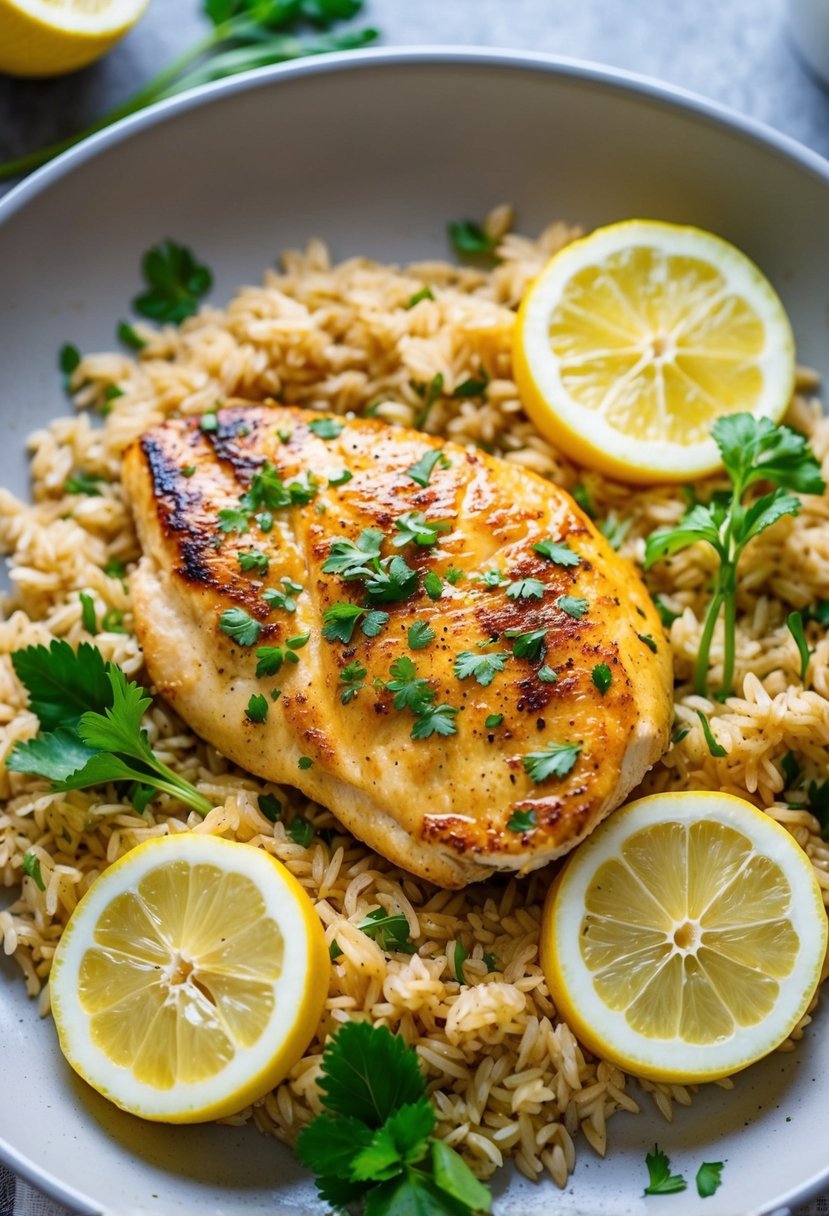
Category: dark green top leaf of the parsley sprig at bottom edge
[369,1073]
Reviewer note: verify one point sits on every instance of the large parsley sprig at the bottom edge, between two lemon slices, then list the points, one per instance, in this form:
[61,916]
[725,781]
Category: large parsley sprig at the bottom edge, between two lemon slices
[374,1145]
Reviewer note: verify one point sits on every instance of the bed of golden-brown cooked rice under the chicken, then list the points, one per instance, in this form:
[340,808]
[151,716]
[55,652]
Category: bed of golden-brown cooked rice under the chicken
[509,1078]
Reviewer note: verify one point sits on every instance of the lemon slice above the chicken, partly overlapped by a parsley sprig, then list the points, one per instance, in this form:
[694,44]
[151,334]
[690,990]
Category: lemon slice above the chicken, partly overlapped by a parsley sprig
[633,342]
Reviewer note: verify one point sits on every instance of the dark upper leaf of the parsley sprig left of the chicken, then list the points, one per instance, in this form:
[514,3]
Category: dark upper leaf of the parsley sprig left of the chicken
[63,684]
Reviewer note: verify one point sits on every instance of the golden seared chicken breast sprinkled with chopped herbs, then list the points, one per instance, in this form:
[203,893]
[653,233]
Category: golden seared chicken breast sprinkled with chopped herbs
[437,645]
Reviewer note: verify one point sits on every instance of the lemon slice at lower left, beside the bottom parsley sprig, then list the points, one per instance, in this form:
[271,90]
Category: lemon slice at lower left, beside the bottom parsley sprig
[190,978]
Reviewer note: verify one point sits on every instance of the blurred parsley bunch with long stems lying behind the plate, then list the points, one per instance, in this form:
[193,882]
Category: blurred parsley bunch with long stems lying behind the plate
[244,35]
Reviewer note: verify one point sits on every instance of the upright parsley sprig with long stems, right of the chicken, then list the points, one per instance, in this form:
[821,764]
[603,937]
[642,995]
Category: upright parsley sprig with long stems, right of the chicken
[753,451]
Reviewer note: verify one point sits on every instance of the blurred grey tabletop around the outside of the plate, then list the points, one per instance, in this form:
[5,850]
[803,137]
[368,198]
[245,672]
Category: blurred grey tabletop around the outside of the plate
[735,52]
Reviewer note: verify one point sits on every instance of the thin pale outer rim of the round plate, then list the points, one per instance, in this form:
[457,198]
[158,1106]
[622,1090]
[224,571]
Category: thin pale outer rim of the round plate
[666,97]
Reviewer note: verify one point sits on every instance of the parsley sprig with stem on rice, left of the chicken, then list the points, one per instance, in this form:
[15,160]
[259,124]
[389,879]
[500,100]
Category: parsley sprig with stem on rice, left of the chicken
[91,725]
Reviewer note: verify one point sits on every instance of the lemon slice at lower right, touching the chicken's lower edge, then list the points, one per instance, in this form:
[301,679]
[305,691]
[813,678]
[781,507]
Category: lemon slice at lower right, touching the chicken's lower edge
[685,939]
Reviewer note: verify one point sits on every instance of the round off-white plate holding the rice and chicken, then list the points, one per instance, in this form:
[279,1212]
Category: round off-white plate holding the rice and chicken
[376,153]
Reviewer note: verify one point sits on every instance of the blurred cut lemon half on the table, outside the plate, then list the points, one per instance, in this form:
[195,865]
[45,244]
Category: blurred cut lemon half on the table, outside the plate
[42,38]
